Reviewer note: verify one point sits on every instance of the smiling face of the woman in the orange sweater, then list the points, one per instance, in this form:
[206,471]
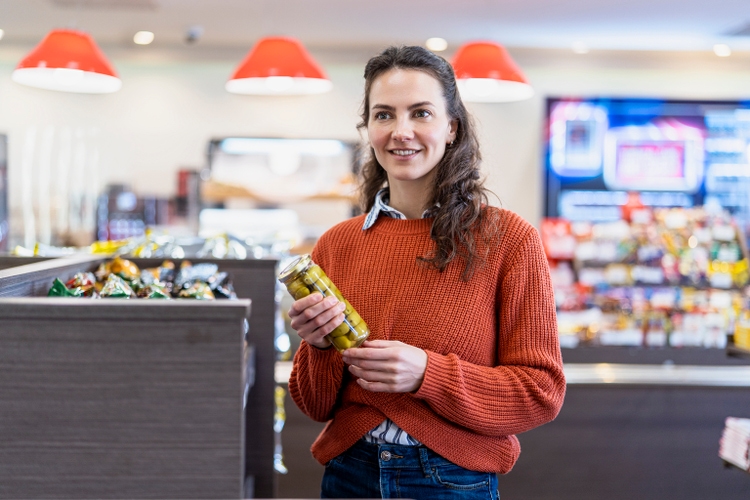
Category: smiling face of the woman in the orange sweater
[409,126]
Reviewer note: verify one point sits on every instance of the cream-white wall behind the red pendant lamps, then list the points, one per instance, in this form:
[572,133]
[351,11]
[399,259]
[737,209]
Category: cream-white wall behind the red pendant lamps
[169,108]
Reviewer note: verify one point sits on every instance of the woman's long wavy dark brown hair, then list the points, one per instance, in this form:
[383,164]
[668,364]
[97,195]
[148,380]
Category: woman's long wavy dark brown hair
[459,193]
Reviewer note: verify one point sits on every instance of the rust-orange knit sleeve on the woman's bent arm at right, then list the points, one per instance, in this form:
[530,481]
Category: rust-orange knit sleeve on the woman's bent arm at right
[527,387]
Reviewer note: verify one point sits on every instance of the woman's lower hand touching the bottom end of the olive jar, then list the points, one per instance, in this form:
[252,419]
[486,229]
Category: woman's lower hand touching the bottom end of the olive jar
[387,366]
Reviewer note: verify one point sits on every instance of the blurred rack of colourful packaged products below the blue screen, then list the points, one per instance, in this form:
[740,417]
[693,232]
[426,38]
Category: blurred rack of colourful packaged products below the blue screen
[666,278]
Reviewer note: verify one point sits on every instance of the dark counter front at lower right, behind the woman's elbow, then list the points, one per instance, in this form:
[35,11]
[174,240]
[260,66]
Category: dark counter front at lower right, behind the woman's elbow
[625,442]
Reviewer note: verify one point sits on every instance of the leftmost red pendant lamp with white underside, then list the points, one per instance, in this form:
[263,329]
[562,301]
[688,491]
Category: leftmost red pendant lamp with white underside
[69,61]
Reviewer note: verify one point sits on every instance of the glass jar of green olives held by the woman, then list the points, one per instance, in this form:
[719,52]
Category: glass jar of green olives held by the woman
[303,277]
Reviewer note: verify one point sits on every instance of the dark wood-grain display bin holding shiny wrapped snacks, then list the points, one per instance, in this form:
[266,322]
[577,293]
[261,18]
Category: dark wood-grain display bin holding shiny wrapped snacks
[135,398]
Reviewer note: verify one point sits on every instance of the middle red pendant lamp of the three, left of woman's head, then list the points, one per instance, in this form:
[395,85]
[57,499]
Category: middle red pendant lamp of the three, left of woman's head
[278,66]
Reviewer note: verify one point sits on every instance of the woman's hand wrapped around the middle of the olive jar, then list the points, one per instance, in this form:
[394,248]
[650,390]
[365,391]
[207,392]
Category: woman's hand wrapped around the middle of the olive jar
[314,317]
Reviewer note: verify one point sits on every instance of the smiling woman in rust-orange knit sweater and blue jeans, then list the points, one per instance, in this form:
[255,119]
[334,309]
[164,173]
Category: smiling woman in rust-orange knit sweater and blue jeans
[463,351]
